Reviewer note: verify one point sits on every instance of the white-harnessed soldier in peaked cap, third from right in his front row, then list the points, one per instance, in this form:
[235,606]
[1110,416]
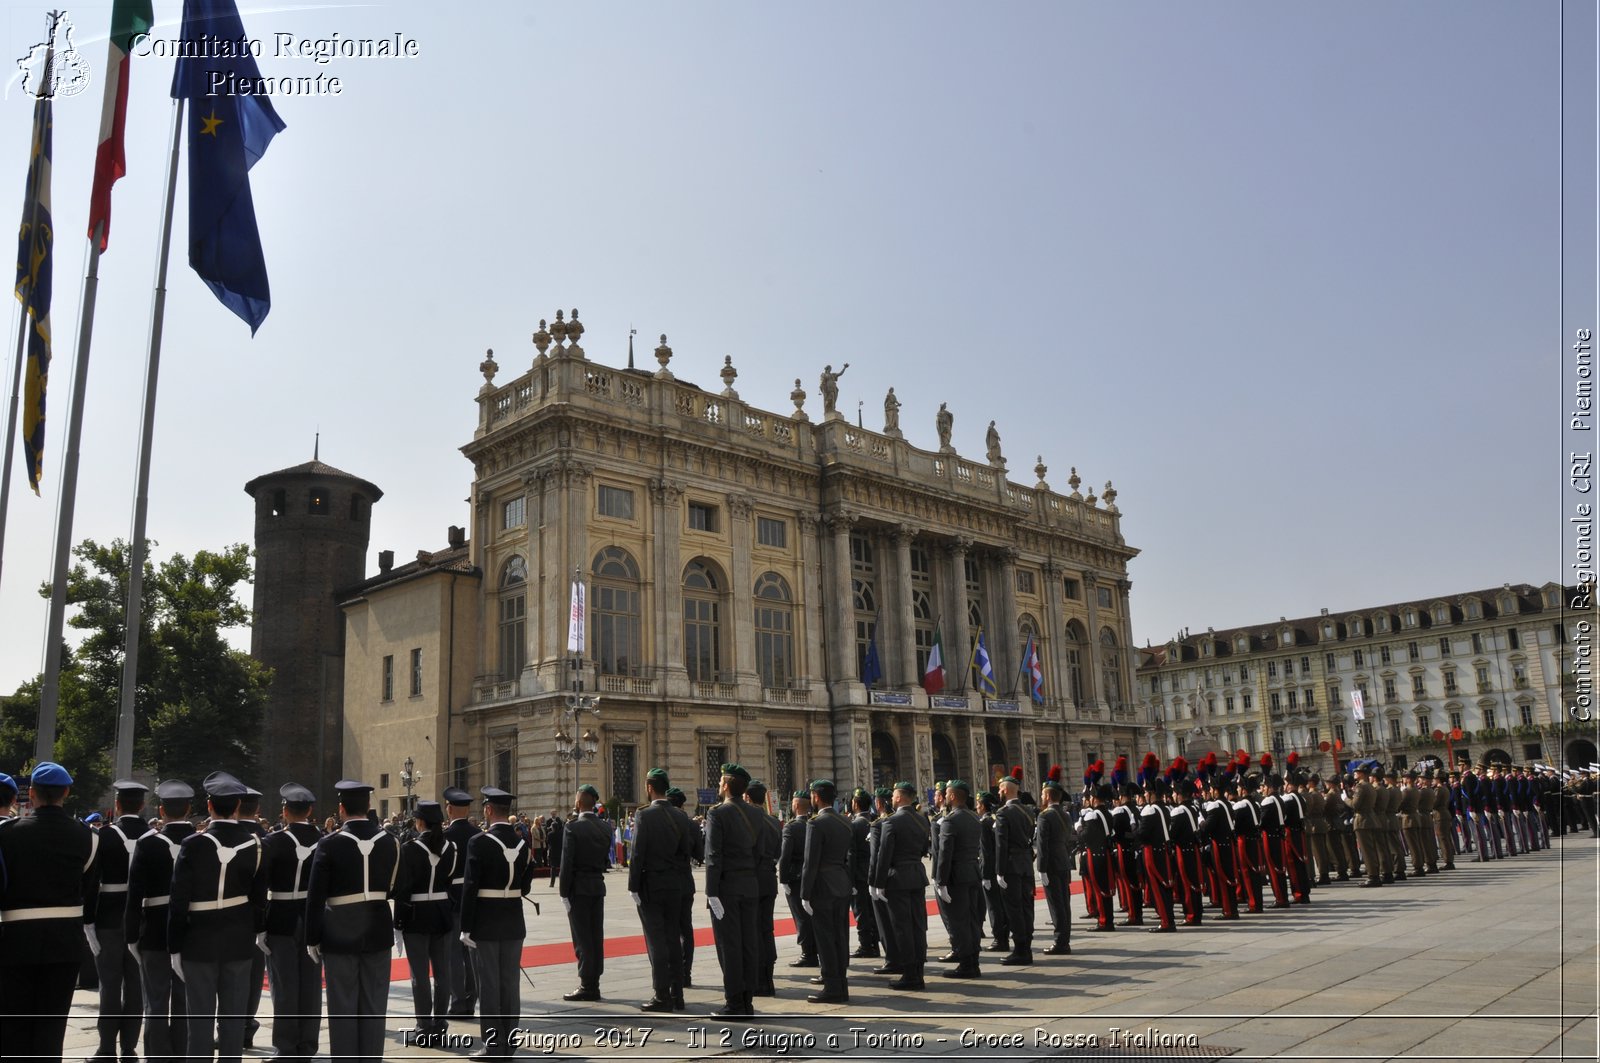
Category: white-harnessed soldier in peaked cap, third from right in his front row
[350,926]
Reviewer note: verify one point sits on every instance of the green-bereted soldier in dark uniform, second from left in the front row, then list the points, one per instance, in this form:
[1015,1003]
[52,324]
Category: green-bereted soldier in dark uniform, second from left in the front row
[655,880]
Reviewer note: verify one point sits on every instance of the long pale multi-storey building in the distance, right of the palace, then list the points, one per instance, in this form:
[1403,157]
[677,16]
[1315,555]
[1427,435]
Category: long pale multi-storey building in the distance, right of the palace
[1492,664]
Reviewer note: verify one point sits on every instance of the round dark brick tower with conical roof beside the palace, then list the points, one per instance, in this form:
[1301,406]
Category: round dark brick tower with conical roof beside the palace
[313,526]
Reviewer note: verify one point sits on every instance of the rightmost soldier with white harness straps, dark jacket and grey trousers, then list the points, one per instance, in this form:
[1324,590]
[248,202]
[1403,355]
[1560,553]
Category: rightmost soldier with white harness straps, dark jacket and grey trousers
[498,875]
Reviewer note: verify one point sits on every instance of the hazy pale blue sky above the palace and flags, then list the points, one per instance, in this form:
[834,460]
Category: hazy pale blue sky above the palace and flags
[1286,273]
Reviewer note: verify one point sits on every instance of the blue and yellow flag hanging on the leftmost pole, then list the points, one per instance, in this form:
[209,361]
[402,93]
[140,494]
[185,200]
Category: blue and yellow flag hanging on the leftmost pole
[34,267]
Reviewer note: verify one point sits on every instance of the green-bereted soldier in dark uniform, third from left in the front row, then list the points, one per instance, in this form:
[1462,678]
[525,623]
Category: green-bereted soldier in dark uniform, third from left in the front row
[732,843]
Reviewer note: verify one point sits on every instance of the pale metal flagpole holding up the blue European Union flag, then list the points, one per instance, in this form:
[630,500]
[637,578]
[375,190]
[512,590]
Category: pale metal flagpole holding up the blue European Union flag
[142,503]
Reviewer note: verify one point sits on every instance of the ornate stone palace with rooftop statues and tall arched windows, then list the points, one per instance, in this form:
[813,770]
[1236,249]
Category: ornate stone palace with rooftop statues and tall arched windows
[738,566]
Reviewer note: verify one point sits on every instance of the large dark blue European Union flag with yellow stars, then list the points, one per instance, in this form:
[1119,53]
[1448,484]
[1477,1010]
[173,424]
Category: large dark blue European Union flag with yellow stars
[230,130]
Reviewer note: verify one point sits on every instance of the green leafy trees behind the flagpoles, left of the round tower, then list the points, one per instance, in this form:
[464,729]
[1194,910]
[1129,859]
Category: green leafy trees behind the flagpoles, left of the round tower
[198,702]
